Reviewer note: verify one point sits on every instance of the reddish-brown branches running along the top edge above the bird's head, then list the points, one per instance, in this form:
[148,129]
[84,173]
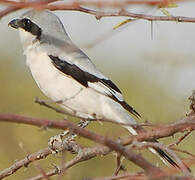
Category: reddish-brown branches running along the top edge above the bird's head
[77,6]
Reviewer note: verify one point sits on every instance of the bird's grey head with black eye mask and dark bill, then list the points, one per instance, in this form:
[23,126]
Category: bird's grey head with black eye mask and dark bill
[42,26]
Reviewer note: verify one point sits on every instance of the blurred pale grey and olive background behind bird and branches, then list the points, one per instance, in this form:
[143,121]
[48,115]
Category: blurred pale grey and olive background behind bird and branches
[152,64]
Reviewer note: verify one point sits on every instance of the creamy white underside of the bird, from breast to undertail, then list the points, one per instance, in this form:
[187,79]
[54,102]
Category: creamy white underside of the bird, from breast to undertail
[76,99]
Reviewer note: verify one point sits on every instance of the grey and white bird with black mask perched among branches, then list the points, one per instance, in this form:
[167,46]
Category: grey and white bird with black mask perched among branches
[65,74]
